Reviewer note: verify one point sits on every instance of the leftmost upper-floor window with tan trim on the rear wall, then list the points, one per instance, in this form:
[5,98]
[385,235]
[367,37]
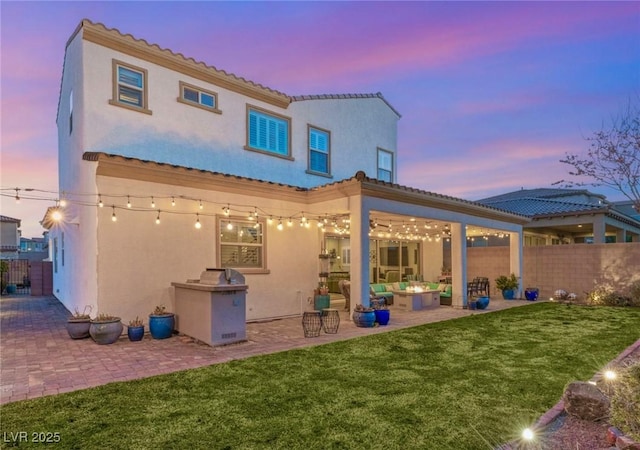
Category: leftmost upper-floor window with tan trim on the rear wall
[130,87]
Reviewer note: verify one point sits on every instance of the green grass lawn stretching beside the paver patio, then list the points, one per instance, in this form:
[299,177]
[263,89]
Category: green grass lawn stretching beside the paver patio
[469,383]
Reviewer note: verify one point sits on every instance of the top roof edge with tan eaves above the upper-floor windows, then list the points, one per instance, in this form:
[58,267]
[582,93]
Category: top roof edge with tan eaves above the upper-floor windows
[140,48]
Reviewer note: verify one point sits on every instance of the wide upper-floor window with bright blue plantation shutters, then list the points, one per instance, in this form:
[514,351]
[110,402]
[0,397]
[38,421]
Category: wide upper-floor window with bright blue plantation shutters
[268,132]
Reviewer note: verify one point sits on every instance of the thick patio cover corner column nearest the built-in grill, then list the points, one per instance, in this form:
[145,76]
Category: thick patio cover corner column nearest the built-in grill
[359,269]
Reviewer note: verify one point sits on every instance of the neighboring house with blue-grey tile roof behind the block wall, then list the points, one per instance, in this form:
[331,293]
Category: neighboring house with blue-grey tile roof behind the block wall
[569,216]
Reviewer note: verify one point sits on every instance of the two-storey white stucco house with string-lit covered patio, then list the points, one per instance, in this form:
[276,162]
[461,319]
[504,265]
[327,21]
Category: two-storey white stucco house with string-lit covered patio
[168,166]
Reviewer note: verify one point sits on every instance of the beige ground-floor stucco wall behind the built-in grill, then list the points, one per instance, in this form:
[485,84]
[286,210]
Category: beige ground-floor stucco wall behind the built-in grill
[138,260]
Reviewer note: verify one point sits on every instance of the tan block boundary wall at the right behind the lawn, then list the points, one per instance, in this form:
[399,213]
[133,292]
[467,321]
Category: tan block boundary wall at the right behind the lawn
[575,268]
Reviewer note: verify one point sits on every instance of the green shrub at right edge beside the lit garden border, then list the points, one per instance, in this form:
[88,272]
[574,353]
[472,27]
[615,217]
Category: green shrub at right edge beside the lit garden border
[625,402]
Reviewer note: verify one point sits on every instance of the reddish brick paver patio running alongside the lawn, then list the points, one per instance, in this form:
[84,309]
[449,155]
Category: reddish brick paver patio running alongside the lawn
[38,358]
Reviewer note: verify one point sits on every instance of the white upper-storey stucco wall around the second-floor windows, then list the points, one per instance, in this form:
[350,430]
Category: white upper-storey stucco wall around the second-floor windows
[181,134]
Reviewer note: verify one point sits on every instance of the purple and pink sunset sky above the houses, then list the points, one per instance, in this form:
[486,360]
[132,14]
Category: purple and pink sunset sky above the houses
[492,95]
